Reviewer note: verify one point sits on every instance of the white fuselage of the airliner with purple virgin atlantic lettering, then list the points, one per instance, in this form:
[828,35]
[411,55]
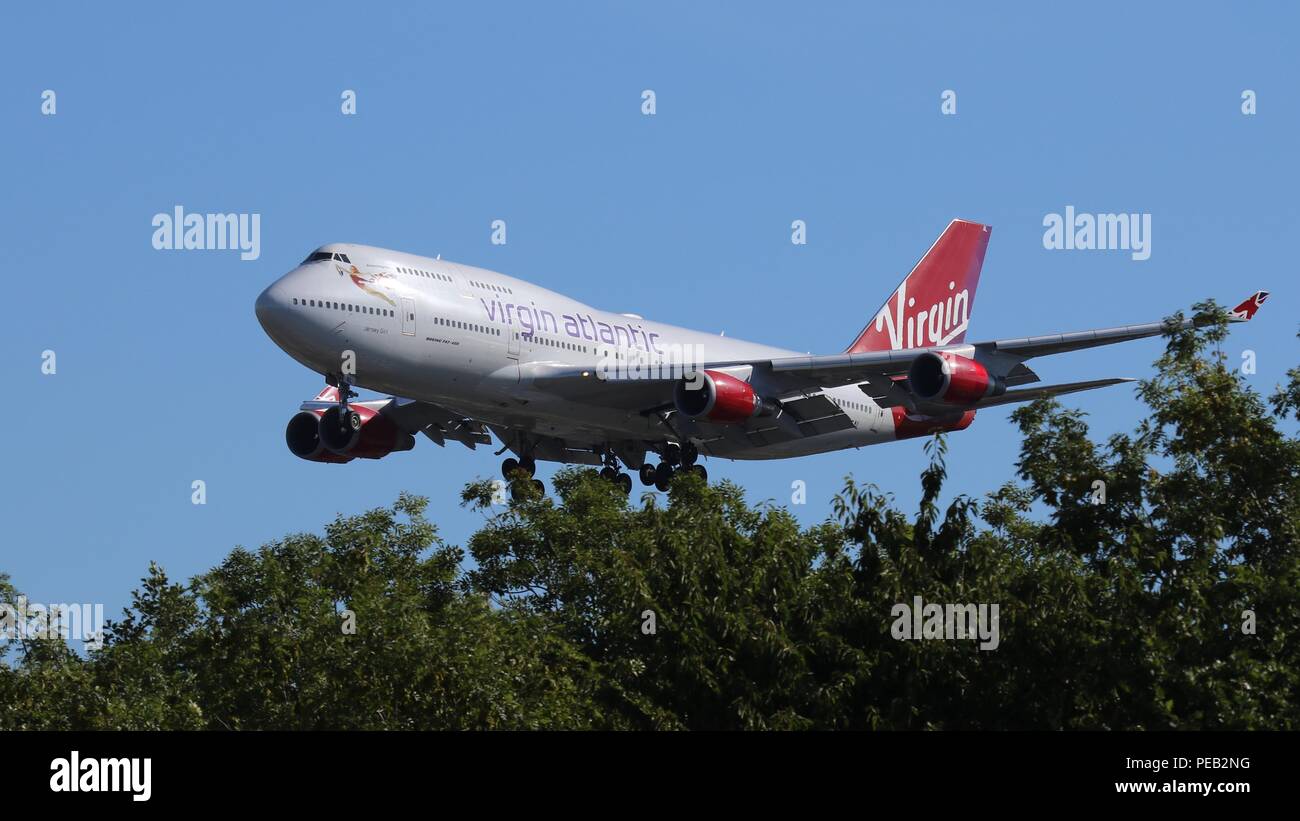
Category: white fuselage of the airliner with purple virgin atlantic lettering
[471,341]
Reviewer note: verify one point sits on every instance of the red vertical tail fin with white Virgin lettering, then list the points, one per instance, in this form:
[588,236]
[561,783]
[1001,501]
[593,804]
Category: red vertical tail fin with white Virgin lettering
[933,306]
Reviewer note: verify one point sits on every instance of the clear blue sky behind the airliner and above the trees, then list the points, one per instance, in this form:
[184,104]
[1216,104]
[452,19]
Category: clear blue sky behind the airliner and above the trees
[469,114]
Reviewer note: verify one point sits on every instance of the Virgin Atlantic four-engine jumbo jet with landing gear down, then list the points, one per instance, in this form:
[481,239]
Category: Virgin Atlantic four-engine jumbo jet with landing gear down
[469,353]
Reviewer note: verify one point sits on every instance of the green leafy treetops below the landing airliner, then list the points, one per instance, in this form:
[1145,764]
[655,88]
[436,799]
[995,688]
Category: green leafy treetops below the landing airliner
[1126,614]
